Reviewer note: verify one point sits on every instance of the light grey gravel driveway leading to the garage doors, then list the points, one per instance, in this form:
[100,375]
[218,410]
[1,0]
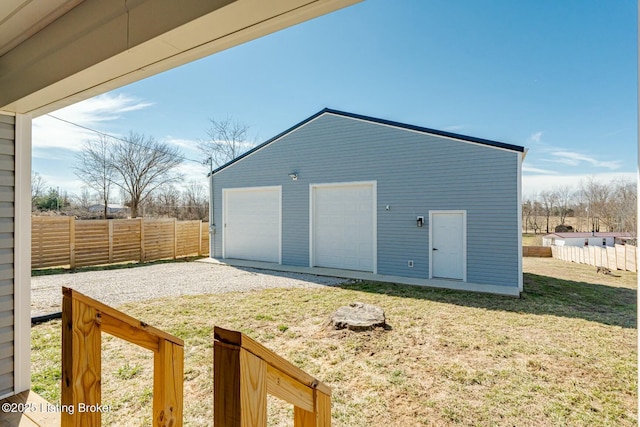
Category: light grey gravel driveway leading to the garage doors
[116,287]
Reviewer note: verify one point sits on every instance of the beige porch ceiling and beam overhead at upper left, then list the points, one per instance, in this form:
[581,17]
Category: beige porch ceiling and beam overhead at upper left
[57,52]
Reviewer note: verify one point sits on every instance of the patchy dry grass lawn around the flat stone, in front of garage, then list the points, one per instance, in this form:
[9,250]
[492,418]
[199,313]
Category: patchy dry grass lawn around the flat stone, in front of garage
[563,354]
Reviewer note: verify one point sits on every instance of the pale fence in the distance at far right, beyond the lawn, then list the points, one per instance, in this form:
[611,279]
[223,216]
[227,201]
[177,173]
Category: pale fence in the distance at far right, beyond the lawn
[619,257]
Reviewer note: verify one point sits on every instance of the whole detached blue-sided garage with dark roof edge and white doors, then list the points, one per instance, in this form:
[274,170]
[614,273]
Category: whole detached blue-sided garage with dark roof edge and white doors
[351,195]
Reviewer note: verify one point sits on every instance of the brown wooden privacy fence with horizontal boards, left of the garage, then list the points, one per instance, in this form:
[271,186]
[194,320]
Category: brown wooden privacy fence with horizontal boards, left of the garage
[62,241]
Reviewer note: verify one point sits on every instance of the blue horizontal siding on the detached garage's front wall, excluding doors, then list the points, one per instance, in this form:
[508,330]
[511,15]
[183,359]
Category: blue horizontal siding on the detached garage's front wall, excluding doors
[415,173]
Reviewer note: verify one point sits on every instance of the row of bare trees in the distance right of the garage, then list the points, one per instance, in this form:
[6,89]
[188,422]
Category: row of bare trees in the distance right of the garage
[591,206]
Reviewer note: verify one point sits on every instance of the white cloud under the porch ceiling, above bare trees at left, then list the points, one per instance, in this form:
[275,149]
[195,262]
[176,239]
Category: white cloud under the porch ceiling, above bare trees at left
[49,132]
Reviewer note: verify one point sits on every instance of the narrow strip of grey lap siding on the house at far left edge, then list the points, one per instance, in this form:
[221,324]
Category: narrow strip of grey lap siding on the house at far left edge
[7,179]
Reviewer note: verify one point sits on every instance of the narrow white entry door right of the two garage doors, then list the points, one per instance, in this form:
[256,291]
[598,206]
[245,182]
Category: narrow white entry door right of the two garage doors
[448,238]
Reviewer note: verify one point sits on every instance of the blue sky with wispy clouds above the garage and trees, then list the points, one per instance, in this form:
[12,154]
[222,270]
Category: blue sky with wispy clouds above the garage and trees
[558,77]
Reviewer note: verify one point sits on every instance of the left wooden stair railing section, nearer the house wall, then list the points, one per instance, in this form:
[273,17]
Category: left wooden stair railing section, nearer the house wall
[83,321]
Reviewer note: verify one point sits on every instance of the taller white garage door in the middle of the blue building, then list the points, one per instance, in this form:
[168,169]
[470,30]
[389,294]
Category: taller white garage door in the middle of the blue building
[343,226]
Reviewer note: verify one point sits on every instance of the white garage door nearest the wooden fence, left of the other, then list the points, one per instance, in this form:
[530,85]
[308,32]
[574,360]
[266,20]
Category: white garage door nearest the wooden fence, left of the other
[252,223]
